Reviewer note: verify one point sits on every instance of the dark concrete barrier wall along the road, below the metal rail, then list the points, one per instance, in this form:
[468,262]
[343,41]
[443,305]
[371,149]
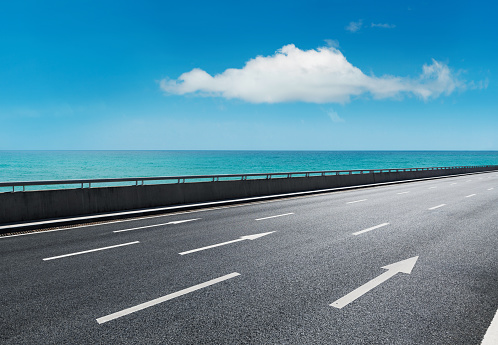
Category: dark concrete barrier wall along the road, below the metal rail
[46,204]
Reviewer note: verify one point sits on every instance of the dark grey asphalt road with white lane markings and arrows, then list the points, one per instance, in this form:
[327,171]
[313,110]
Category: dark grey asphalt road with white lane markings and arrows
[279,288]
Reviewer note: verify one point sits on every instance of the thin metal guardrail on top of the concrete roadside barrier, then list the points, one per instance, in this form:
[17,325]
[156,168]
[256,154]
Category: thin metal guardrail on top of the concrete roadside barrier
[140,181]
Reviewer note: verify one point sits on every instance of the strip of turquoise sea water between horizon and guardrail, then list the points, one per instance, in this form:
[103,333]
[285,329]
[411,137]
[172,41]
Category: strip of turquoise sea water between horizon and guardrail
[60,165]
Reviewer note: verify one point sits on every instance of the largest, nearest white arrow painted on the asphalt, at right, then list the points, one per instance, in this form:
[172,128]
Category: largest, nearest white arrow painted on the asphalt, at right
[404,266]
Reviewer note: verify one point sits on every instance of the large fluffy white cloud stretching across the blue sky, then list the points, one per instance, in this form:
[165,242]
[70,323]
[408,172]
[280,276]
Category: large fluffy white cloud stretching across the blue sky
[315,76]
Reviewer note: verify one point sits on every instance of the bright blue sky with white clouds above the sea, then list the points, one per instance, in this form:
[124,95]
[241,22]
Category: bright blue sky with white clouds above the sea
[248,75]
